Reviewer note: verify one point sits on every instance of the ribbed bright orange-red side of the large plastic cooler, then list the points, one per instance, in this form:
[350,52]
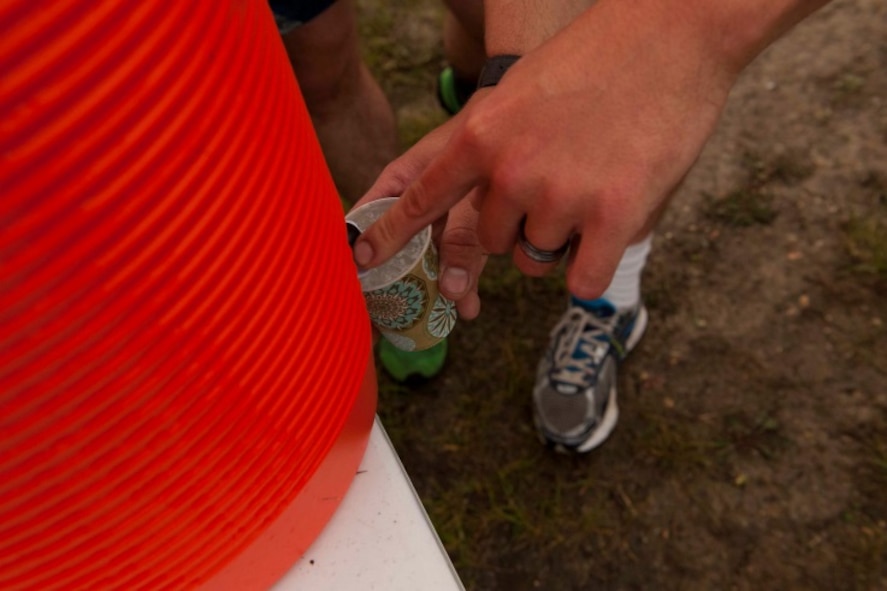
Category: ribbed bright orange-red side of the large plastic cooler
[182,335]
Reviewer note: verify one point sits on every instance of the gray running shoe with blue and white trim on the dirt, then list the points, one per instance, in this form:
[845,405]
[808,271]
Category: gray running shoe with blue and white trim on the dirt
[574,399]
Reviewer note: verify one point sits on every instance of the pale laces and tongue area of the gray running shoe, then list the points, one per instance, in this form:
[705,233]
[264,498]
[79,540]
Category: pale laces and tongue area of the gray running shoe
[581,348]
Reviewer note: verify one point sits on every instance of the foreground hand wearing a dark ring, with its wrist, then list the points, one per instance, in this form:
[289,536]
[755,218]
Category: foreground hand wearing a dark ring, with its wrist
[585,138]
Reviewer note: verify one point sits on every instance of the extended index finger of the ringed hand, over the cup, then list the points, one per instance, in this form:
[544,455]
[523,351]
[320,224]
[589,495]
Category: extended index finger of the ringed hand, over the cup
[446,181]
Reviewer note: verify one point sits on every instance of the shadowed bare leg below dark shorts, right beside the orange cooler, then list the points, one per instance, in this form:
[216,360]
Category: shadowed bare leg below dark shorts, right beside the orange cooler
[352,117]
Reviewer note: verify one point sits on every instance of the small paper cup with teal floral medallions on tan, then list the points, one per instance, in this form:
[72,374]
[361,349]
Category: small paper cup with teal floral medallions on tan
[402,296]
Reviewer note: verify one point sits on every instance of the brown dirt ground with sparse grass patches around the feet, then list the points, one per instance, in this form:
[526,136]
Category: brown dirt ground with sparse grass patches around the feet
[752,447]
